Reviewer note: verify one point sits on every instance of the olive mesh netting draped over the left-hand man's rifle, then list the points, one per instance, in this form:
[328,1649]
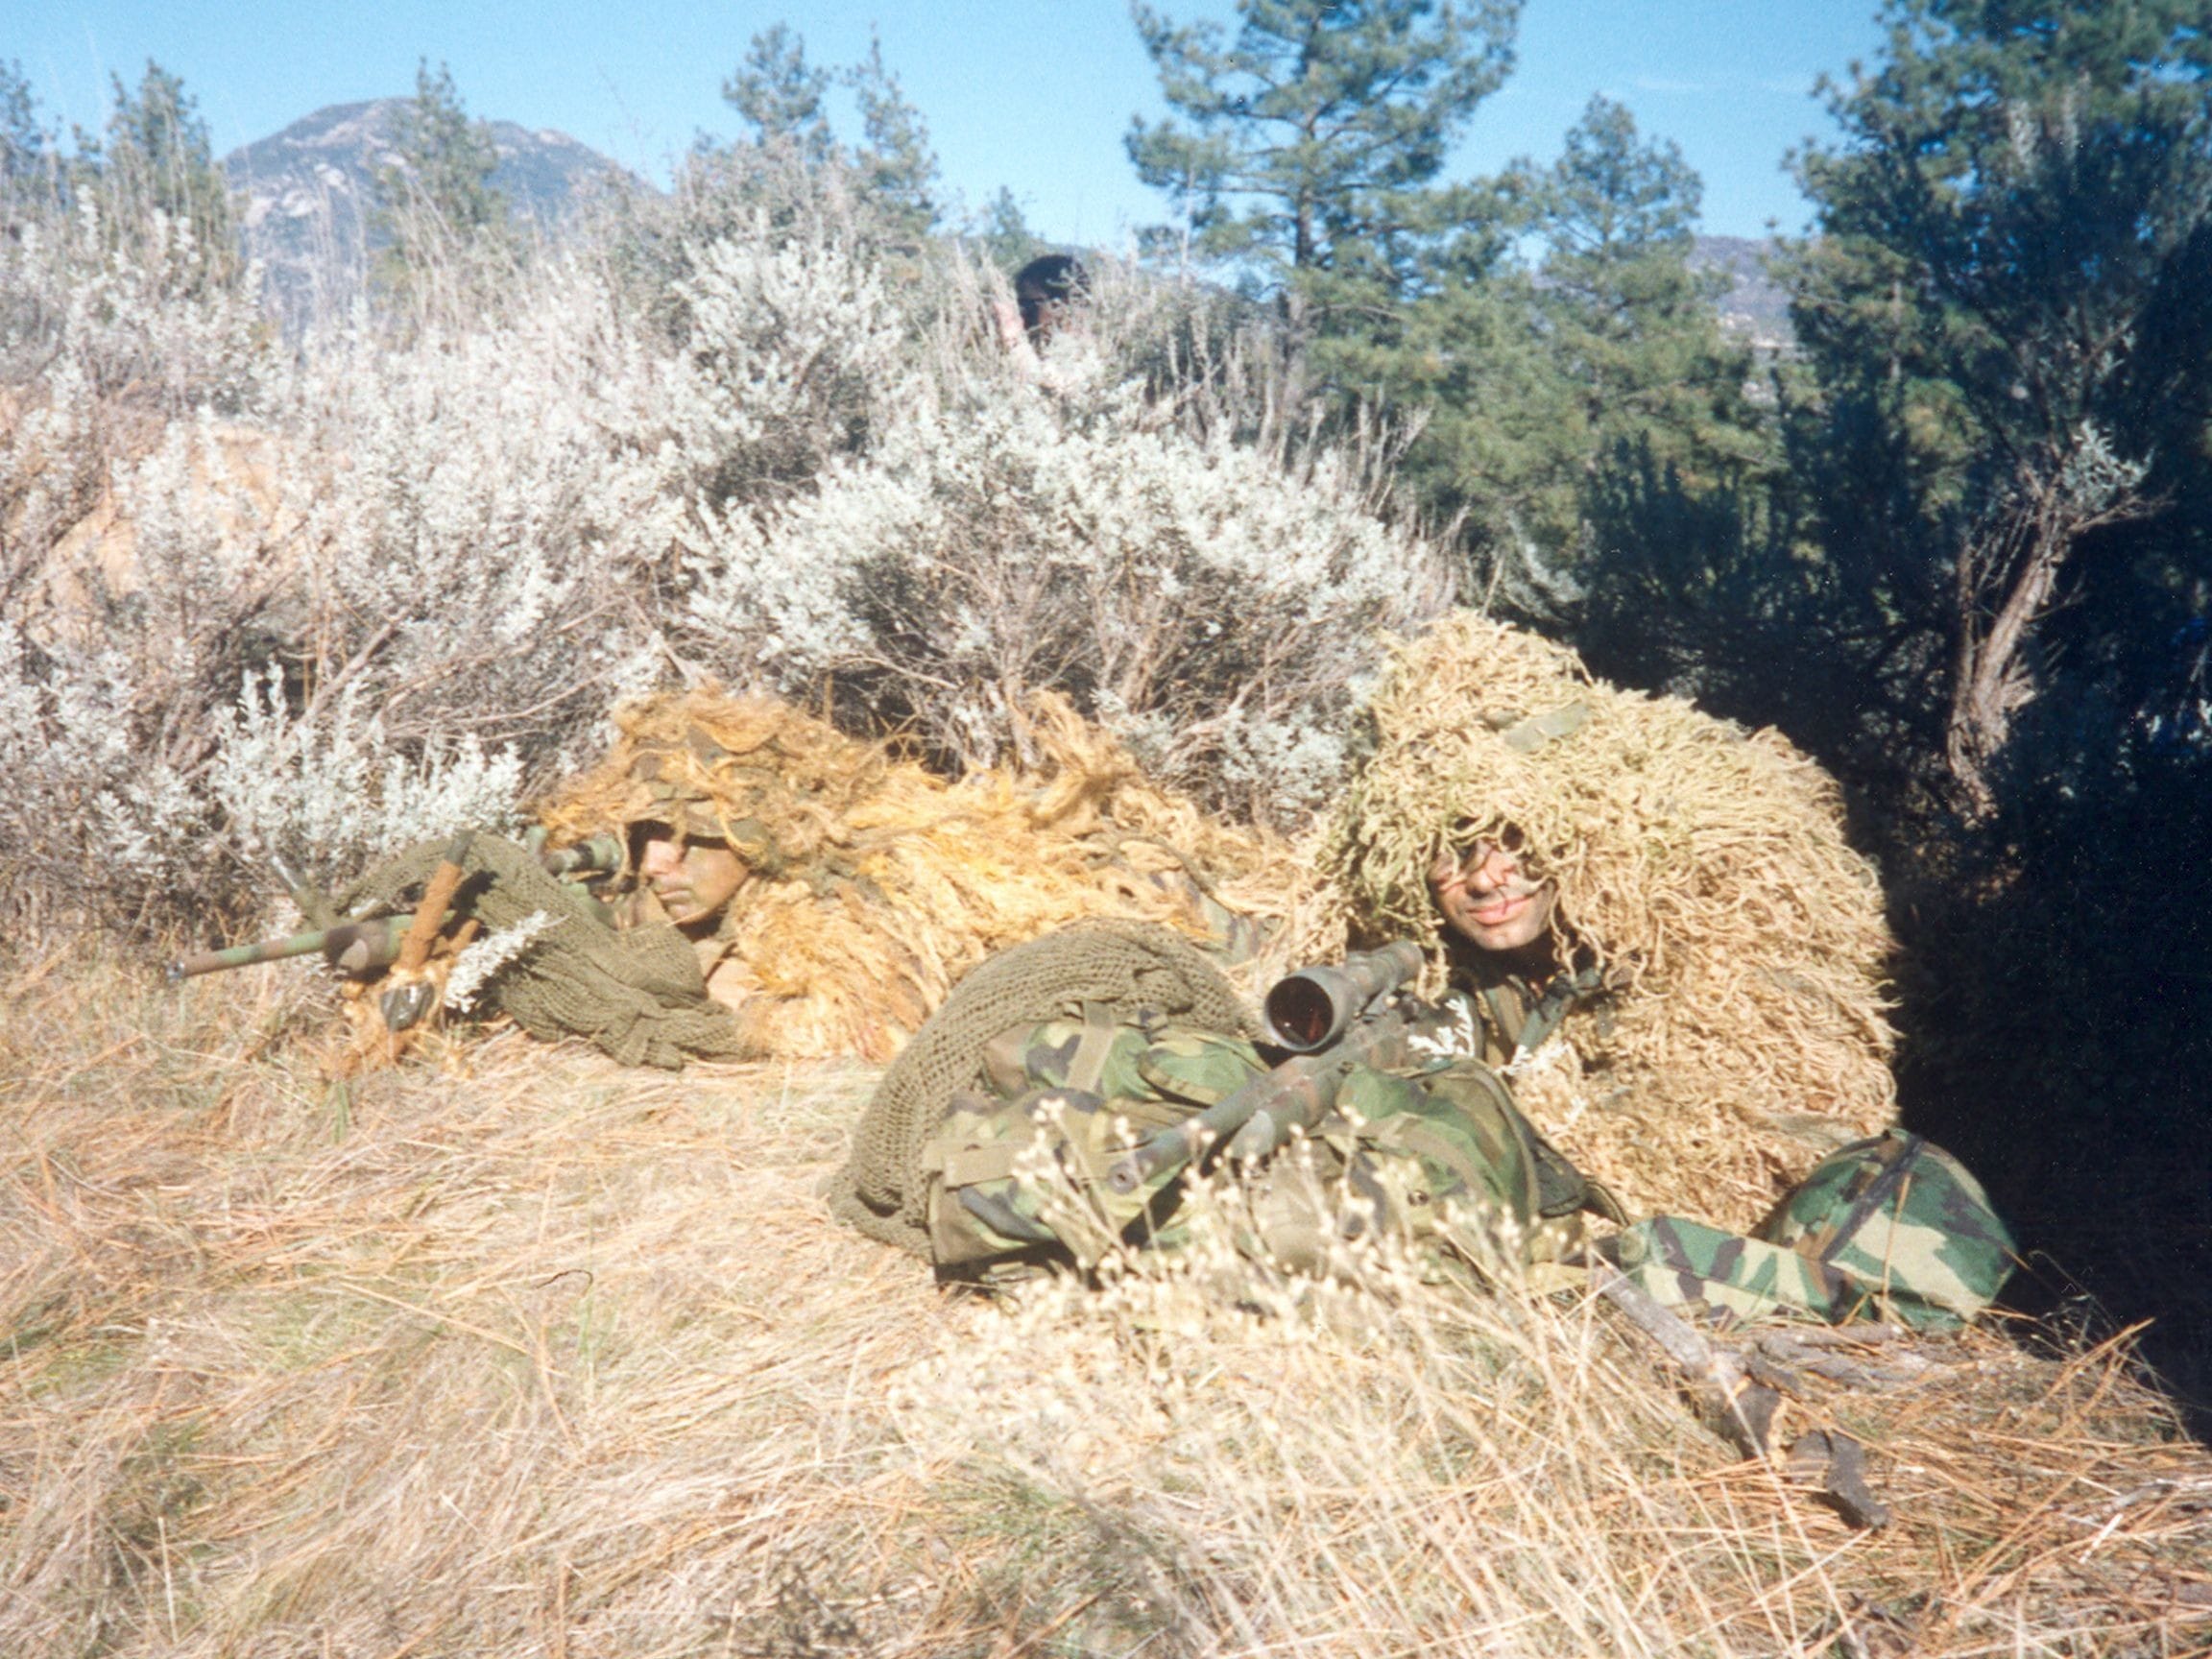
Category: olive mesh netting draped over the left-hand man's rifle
[638,994]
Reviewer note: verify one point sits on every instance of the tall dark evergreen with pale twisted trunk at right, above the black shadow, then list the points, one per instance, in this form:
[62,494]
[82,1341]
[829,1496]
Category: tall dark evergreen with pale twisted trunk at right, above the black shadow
[2007,317]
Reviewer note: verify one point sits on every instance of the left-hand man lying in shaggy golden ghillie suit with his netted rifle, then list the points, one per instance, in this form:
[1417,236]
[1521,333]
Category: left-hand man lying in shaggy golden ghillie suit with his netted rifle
[771,888]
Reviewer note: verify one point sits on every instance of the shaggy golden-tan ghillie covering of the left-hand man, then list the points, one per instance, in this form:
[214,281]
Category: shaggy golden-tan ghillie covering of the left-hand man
[879,884]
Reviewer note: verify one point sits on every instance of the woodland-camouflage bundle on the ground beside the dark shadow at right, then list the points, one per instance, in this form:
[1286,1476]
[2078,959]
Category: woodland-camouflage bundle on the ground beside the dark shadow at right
[1886,1229]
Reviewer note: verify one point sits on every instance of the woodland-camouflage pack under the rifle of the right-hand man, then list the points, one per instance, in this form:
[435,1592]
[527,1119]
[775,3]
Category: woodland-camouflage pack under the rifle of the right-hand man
[1019,1169]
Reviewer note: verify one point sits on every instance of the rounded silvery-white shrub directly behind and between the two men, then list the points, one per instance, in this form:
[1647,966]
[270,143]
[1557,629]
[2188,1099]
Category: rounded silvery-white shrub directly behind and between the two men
[1211,607]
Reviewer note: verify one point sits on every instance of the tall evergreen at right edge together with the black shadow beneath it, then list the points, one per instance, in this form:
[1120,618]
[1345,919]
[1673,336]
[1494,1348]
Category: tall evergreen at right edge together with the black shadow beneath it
[2005,452]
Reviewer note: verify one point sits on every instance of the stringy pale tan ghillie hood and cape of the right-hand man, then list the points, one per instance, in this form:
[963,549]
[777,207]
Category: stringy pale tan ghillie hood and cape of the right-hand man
[1704,868]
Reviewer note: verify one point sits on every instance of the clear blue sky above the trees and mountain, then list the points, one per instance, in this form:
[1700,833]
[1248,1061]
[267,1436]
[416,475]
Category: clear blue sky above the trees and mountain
[1025,96]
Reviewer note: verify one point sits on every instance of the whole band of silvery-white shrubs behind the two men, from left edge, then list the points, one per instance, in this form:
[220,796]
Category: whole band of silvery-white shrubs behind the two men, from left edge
[331,601]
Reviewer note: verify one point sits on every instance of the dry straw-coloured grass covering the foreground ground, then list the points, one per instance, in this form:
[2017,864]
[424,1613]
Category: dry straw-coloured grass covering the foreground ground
[514,1353]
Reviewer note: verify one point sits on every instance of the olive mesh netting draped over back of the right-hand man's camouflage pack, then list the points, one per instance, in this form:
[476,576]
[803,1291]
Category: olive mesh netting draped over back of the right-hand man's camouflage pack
[1114,963]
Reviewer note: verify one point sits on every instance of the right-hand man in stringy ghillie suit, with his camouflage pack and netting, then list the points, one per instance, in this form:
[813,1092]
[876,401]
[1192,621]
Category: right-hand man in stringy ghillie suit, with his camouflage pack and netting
[1640,921]
